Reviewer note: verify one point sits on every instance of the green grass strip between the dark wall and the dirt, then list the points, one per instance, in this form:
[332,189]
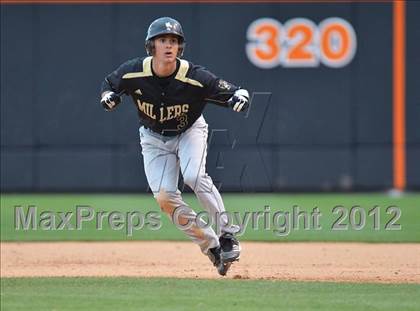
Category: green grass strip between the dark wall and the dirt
[408,204]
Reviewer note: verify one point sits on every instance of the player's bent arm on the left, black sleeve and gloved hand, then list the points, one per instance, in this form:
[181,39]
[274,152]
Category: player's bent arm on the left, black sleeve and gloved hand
[113,87]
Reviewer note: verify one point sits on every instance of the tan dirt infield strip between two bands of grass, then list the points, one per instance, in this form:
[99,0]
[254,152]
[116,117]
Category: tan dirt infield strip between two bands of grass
[340,262]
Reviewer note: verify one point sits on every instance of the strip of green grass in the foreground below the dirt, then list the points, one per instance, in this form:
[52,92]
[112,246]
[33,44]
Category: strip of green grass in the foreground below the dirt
[186,294]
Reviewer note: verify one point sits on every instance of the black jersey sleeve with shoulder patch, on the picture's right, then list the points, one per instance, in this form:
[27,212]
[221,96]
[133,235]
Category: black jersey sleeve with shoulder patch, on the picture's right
[217,90]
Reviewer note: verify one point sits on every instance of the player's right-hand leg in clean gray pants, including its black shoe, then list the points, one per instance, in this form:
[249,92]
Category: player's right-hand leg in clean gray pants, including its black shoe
[192,154]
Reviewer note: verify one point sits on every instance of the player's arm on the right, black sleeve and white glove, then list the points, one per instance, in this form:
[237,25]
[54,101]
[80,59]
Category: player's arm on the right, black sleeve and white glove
[223,93]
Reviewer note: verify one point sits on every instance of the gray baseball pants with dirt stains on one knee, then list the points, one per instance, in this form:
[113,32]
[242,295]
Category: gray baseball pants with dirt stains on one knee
[164,158]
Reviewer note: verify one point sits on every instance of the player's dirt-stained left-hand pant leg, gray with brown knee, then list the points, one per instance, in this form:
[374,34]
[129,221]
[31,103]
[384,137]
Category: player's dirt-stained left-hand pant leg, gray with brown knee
[161,166]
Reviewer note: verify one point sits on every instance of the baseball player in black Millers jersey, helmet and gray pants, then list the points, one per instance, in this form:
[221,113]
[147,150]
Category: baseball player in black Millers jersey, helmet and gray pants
[170,94]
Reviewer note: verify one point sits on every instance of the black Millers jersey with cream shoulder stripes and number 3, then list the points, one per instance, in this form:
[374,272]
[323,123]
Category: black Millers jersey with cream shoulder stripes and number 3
[168,105]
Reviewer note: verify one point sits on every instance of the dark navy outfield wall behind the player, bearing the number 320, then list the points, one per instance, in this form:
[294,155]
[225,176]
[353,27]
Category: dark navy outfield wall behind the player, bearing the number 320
[321,115]
